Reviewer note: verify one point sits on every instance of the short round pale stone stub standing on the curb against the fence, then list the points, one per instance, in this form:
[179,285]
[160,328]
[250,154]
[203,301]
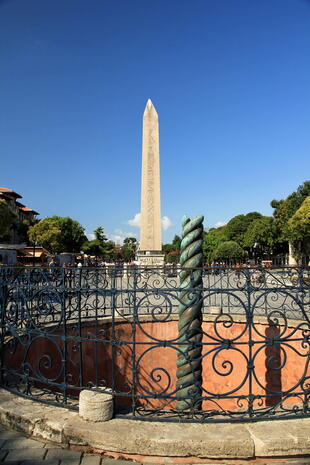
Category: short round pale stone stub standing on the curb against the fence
[95,405]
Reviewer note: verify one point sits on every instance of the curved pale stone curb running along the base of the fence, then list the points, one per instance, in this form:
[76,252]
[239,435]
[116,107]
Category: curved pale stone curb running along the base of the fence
[140,440]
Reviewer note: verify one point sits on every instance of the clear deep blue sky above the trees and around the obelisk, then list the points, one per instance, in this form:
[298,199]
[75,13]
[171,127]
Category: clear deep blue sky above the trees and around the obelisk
[229,79]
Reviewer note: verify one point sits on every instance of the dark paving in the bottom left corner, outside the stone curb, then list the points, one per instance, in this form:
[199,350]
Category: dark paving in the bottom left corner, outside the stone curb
[17,449]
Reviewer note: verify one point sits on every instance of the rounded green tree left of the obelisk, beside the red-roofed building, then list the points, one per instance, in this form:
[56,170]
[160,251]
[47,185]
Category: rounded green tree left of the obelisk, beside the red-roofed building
[58,234]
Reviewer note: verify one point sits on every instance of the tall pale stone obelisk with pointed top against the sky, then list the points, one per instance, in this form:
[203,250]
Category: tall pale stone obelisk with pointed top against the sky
[150,250]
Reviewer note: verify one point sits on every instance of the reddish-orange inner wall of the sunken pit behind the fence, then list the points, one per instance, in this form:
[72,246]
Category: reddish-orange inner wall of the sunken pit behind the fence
[44,356]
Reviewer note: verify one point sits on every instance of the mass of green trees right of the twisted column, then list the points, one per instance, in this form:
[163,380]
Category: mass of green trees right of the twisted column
[259,236]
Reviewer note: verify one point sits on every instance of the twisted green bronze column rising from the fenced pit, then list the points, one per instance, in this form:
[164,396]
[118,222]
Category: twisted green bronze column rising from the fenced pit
[189,364]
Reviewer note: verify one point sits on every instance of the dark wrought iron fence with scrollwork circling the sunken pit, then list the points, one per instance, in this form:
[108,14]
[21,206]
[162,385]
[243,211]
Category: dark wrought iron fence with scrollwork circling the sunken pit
[117,329]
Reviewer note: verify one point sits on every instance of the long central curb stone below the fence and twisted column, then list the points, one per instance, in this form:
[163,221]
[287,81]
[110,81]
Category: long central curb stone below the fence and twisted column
[151,438]
